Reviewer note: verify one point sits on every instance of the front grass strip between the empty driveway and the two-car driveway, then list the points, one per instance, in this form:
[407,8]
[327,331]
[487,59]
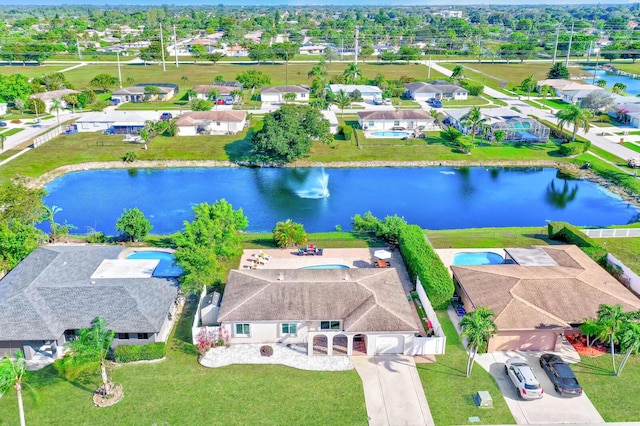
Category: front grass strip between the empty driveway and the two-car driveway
[450,393]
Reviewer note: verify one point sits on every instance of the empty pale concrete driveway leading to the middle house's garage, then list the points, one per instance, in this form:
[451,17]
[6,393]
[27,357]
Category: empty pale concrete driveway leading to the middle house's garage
[393,391]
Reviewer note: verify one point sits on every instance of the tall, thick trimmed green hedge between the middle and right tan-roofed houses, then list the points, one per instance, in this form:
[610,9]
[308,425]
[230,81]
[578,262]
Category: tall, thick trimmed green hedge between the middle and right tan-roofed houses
[424,263]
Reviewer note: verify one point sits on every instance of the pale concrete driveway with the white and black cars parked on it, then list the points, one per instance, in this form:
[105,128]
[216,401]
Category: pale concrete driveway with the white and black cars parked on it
[551,408]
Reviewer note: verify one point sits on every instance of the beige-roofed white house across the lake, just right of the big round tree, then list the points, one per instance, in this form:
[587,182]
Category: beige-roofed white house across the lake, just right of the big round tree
[405,119]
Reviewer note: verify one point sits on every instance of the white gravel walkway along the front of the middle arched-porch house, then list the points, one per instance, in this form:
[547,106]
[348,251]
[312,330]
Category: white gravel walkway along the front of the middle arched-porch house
[295,356]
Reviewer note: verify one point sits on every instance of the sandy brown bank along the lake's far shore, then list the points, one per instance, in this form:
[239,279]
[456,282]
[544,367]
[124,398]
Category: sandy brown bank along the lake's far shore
[589,175]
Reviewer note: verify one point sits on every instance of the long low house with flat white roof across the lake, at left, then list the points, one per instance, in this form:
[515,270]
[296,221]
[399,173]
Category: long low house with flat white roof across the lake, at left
[117,122]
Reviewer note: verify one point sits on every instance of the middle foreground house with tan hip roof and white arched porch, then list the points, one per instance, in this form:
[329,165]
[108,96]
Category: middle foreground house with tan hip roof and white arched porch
[327,308]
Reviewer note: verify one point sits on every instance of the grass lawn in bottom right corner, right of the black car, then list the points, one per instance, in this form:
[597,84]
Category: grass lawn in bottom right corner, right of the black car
[615,398]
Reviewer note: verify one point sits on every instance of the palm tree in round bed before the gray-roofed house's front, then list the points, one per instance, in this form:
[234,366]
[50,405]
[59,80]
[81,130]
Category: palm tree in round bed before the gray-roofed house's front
[92,346]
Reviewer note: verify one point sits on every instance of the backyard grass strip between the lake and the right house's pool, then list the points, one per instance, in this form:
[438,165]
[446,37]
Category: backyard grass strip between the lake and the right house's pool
[489,237]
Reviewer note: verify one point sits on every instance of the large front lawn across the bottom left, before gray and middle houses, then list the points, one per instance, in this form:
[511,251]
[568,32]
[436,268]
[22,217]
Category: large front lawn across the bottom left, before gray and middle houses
[180,391]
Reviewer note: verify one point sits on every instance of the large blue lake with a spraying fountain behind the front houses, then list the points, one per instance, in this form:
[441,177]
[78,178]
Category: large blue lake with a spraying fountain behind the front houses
[434,198]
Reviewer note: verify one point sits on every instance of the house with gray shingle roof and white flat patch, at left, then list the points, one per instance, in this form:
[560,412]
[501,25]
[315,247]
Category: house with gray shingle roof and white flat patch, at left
[57,290]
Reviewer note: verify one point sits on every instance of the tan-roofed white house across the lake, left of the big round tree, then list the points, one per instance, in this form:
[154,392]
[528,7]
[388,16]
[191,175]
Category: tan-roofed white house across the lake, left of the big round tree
[211,122]
